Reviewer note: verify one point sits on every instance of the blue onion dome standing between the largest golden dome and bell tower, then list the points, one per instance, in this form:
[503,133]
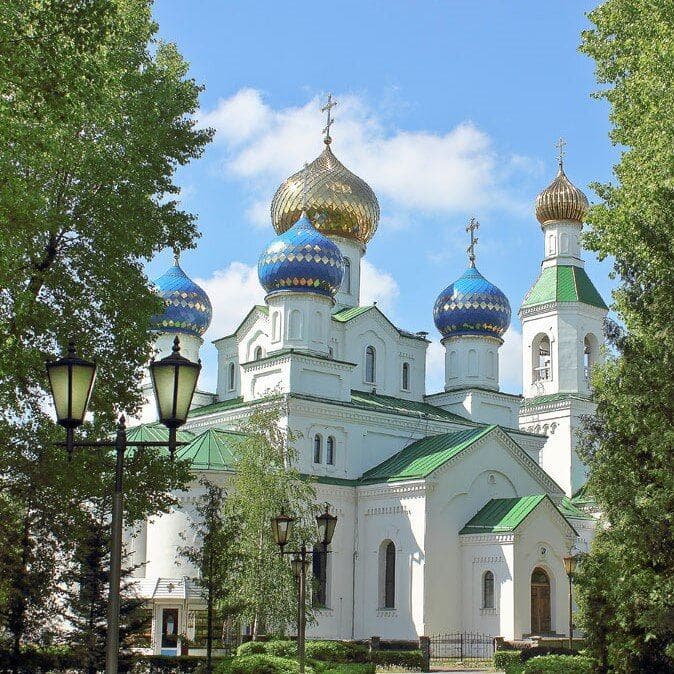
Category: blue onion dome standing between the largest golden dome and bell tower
[472,306]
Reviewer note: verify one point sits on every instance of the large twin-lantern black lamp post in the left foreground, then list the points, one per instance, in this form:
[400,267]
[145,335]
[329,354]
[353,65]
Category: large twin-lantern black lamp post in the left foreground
[71,380]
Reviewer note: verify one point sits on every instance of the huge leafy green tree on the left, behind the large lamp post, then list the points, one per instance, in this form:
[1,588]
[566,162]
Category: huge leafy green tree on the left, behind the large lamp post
[96,116]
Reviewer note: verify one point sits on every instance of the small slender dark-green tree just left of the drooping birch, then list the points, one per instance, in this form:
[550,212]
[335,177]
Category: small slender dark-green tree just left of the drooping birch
[216,555]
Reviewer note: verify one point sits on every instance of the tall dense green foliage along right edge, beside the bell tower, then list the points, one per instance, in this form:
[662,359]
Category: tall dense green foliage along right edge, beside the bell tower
[629,445]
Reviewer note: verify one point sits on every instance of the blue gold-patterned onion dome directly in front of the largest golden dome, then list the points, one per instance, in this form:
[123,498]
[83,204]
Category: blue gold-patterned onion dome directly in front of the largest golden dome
[301,260]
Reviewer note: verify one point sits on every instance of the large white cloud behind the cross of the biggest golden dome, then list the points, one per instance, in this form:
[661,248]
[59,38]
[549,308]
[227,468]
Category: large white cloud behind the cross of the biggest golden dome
[456,171]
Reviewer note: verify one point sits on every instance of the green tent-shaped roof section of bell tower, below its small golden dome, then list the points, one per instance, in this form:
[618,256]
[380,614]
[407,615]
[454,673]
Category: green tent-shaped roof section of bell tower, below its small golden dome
[563,283]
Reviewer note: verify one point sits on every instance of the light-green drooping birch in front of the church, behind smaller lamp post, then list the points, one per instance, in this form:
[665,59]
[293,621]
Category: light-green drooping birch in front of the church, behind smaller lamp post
[265,484]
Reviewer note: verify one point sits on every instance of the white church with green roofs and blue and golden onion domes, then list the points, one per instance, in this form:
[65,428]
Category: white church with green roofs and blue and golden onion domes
[456,507]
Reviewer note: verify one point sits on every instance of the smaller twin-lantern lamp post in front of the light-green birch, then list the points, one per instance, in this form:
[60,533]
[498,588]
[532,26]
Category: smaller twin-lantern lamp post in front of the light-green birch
[282,527]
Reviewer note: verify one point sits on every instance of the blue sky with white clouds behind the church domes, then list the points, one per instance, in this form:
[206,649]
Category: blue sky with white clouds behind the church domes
[448,109]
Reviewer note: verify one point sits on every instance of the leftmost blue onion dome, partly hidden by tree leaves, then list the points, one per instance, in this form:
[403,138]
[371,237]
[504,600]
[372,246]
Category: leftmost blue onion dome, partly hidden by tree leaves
[187,307]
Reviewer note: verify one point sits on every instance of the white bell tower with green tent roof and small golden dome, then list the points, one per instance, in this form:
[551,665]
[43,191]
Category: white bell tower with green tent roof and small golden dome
[562,319]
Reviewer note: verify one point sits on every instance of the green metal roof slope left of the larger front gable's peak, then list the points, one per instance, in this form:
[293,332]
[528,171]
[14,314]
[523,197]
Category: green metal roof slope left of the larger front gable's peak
[422,457]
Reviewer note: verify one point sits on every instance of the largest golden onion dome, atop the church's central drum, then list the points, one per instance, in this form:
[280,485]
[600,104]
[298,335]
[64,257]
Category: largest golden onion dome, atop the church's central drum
[338,202]
